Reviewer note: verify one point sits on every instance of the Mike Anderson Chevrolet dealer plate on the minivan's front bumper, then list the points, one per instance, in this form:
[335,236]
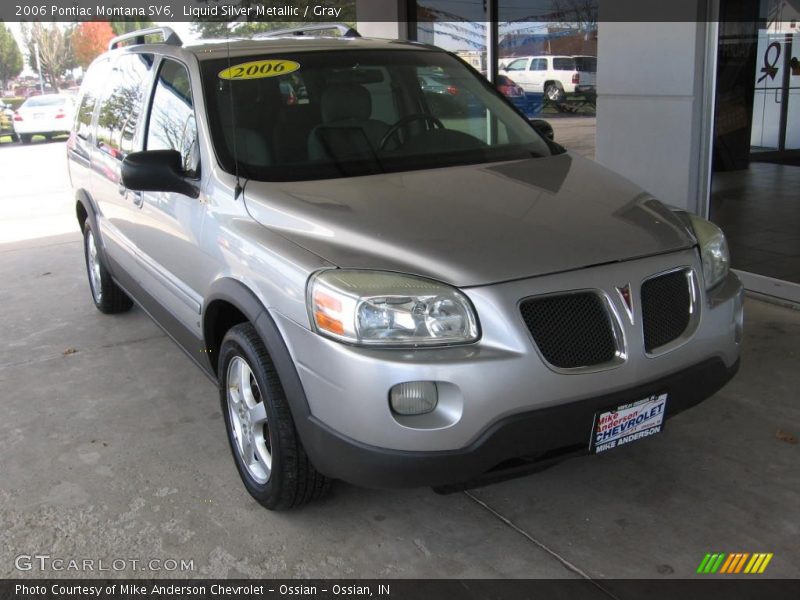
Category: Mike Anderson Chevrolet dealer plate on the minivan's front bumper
[628,423]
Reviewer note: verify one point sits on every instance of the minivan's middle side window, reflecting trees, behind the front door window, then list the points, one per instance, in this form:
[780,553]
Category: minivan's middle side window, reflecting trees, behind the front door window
[119,111]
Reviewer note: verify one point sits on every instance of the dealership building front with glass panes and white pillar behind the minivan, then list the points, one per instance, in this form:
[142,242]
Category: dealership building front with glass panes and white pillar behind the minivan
[701,108]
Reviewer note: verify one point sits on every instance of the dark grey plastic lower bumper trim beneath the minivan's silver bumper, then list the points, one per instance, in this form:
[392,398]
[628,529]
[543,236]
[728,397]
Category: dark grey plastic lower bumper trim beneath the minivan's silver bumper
[516,444]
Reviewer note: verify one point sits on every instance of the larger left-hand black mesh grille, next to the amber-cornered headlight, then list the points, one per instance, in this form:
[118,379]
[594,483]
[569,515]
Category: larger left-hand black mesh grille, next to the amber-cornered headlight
[571,330]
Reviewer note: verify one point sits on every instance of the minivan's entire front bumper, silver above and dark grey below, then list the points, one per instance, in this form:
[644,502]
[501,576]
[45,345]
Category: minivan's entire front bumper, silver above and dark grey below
[500,379]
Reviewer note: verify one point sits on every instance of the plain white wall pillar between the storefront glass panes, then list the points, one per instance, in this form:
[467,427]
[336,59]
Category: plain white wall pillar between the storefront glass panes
[650,108]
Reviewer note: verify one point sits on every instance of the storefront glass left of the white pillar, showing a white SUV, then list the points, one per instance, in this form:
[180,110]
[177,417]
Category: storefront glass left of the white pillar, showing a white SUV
[546,55]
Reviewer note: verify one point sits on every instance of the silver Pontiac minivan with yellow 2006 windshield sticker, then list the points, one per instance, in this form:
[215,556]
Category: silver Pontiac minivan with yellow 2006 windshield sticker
[388,290]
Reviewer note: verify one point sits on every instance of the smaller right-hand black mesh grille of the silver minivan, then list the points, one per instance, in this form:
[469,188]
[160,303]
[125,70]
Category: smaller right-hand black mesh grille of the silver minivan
[666,308]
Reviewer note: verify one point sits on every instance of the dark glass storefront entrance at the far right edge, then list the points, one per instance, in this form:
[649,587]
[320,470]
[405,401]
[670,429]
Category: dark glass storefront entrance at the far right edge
[756,160]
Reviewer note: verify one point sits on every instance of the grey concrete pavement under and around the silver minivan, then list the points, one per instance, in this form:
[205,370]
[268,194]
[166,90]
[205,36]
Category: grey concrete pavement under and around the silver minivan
[113,447]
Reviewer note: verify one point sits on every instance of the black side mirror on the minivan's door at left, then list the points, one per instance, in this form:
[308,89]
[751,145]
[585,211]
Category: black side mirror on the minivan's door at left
[156,171]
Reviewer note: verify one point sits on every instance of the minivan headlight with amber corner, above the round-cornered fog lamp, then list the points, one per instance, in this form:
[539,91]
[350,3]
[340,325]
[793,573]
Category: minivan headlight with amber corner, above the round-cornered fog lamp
[379,308]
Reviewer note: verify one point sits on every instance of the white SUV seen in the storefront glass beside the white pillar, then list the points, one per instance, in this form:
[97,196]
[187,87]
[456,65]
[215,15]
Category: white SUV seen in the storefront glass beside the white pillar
[556,76]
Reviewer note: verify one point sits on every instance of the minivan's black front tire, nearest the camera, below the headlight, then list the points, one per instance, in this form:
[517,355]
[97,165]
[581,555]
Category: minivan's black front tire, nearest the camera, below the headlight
[292,480]
